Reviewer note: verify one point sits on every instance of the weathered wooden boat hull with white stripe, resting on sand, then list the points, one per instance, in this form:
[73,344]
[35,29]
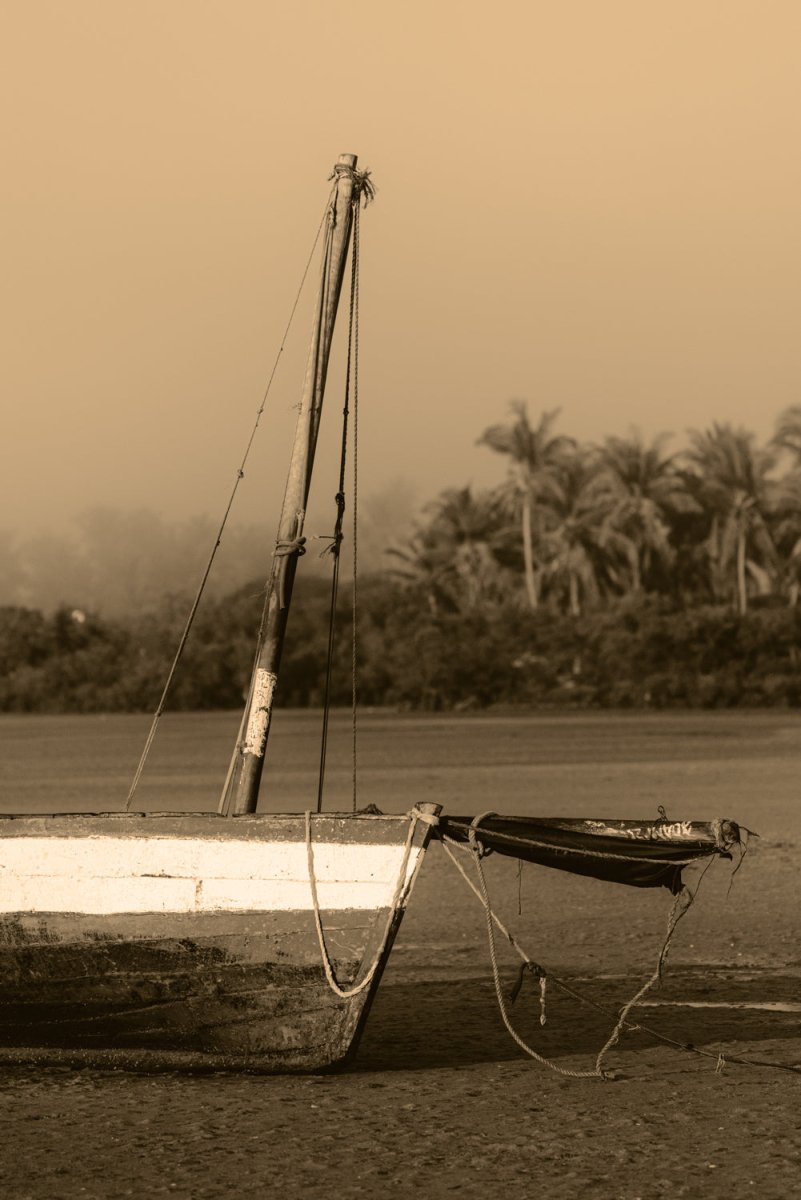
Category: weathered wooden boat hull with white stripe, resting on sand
[172,943]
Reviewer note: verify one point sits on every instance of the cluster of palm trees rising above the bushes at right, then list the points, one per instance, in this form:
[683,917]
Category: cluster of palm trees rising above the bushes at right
[581,526]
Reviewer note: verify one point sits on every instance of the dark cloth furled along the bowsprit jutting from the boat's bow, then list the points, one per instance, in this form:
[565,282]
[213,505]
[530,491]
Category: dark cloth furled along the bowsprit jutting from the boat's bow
[642,854]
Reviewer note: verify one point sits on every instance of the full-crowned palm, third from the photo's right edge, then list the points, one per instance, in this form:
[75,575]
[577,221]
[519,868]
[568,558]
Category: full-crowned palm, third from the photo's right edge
[645,490]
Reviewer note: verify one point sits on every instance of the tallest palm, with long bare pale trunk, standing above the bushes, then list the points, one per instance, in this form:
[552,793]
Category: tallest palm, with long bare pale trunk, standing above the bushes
[534,454]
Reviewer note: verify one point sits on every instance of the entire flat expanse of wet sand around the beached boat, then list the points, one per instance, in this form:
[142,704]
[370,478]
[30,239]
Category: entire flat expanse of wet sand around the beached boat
[441,1100]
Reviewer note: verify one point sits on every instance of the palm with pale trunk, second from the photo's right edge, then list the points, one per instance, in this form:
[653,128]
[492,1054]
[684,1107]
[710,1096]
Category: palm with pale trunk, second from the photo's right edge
[730,476]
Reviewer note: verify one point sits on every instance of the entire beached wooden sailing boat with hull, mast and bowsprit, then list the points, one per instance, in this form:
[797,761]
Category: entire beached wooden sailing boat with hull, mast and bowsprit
[243,940]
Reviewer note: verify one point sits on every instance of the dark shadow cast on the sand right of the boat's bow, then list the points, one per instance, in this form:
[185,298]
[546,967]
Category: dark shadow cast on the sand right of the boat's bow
[457,1023]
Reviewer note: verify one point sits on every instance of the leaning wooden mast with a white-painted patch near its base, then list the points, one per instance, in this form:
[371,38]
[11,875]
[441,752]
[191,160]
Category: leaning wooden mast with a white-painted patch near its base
[243,790]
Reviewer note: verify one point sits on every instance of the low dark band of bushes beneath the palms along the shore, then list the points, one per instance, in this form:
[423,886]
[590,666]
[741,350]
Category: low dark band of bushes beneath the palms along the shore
[636,655]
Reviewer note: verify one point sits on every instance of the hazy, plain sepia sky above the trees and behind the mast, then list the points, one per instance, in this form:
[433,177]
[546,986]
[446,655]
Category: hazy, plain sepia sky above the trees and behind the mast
[593,205]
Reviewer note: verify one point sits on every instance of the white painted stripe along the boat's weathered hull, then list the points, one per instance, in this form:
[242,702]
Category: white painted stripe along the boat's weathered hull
[109,875]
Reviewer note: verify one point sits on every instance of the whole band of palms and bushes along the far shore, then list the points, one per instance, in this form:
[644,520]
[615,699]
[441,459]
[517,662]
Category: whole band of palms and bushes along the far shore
[616,574]
